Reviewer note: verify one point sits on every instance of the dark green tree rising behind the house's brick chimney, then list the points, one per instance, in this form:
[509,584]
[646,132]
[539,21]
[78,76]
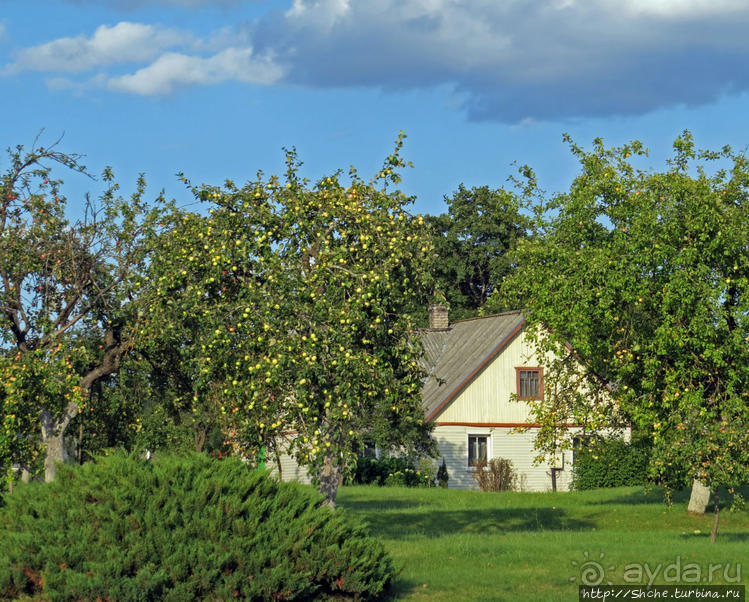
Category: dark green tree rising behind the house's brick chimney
[472,241]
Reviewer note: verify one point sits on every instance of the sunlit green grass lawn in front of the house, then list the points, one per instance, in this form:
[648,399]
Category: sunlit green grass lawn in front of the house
[466,545]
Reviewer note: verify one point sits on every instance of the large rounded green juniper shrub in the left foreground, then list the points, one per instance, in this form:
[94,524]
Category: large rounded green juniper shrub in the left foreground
[181,529]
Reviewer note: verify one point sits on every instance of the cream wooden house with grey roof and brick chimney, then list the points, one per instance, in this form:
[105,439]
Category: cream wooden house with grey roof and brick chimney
[474,366]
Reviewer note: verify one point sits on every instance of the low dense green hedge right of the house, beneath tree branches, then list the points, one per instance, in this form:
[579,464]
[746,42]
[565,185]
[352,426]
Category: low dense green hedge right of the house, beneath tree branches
[611,462]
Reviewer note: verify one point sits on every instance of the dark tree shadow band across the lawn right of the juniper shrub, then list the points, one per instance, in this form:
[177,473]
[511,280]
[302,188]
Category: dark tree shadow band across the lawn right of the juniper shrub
[438,523]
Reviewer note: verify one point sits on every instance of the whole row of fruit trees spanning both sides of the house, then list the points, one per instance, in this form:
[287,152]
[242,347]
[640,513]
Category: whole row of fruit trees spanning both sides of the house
[283,314]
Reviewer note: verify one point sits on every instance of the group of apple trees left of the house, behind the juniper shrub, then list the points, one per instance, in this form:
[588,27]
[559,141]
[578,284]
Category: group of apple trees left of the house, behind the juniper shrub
[278,317]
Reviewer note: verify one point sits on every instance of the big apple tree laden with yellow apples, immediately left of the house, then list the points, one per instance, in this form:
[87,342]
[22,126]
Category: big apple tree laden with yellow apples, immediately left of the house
[286,303]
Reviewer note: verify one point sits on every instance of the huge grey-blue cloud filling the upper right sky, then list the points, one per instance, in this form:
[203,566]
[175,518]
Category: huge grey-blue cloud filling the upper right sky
[514,60]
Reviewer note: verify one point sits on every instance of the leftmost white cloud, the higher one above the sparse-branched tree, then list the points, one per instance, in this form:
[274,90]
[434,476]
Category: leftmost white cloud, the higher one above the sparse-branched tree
[122,43]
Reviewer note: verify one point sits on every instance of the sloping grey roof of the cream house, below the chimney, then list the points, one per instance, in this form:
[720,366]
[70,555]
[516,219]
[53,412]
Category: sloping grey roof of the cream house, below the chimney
[455,356]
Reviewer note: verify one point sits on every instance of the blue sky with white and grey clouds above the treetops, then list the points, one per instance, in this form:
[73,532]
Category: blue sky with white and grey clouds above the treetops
[217,88]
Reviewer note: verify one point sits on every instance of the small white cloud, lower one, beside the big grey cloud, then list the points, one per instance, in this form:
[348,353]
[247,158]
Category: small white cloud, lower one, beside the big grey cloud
[172,70]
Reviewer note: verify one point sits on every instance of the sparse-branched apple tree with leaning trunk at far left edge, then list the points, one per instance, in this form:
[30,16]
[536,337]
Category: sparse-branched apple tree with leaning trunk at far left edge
[68,291]
